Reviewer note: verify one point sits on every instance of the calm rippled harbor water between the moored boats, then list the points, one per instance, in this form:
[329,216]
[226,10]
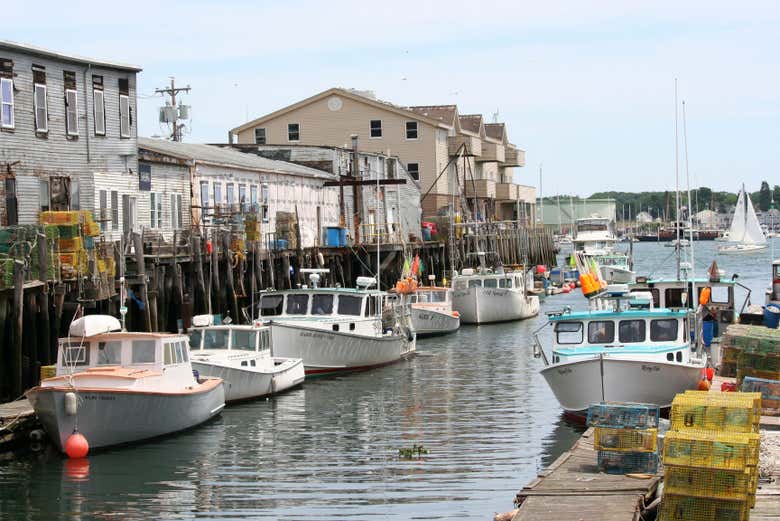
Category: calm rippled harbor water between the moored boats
[329,450]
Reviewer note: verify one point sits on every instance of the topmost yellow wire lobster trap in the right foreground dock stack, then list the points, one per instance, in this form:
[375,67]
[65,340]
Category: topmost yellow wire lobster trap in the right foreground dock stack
[727,412]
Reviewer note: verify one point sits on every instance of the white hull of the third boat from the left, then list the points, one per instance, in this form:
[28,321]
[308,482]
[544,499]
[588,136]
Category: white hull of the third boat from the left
[325,351]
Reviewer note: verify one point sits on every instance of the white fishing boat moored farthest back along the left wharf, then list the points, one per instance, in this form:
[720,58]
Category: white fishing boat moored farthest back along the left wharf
[484,296]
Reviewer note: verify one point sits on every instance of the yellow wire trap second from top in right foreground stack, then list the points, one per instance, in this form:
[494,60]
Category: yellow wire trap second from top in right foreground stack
[726,451]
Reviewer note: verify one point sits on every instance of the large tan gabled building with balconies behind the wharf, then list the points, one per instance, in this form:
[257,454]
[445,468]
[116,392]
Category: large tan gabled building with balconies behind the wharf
[452,156]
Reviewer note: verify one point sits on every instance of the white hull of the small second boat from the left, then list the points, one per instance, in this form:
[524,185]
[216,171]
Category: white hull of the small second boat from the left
[246,383]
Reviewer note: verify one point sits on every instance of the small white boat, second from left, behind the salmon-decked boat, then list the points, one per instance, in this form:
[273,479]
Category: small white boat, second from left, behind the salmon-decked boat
[242,356]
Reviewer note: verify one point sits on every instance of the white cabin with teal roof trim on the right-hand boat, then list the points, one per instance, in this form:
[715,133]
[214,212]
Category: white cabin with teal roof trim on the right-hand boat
[636,331]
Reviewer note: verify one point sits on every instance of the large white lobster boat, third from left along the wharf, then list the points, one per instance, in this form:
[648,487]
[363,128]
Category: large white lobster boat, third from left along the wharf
[339,329]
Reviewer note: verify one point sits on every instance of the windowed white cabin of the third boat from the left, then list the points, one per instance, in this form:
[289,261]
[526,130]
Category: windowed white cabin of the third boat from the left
[322,303]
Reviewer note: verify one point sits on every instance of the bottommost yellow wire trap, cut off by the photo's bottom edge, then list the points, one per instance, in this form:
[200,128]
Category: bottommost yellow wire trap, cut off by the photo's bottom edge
[687,508]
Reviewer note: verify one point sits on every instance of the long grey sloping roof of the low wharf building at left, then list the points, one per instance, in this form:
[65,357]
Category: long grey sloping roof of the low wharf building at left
[228,157]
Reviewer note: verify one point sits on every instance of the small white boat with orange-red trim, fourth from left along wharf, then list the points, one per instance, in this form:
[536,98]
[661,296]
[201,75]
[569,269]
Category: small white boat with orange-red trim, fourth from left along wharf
[432,312]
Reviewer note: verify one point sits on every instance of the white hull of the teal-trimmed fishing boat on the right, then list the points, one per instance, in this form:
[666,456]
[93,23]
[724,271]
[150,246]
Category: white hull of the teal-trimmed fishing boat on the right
[578,384]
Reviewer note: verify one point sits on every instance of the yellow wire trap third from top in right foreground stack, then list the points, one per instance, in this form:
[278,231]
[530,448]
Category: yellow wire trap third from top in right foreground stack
[708,483]
